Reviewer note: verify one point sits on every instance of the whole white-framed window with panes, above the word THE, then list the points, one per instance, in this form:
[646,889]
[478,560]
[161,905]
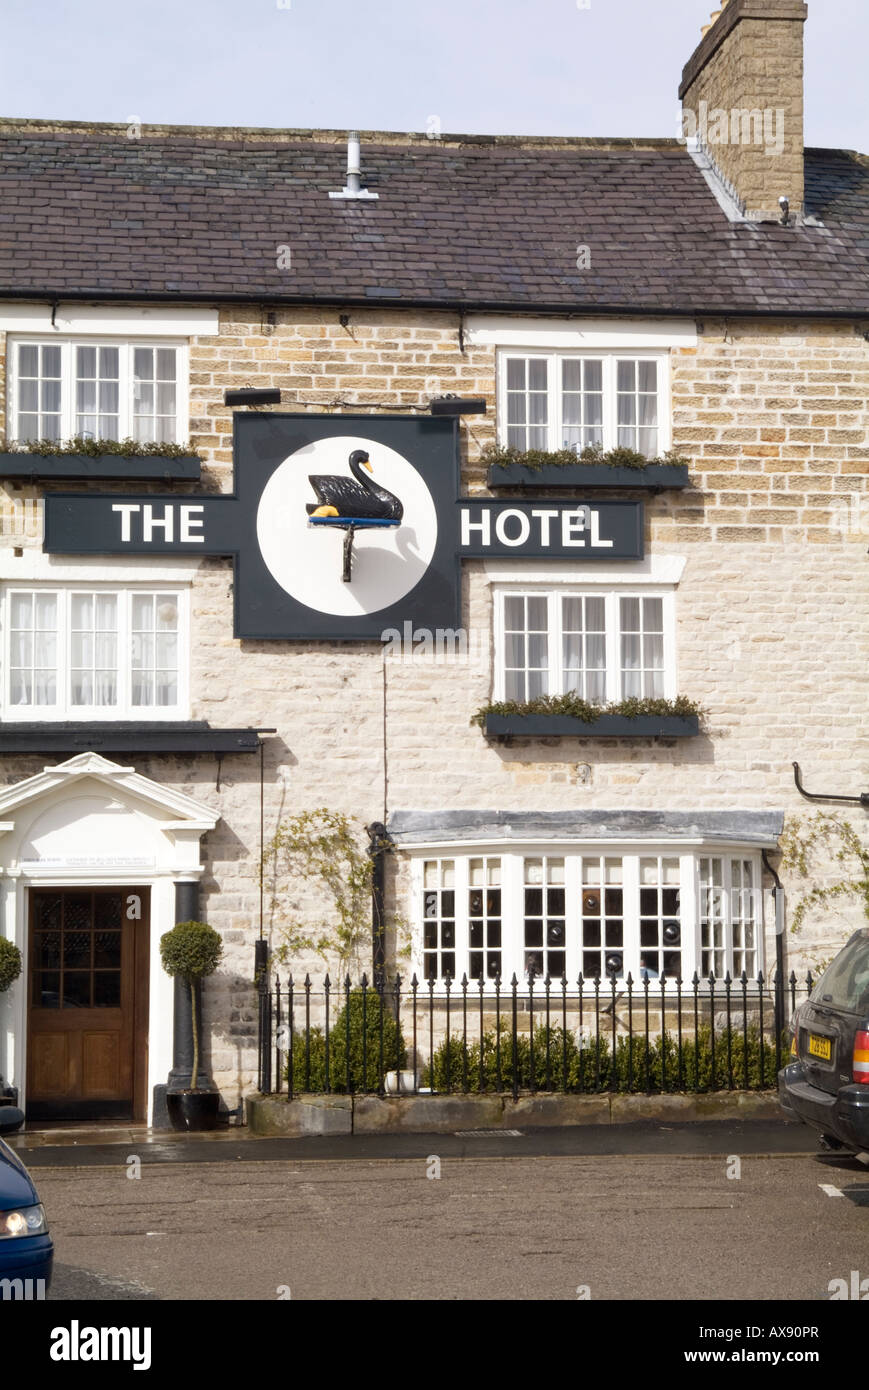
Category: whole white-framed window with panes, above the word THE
[104,390]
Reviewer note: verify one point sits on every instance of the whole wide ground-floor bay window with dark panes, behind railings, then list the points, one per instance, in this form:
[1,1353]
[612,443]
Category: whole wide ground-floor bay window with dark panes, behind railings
[599,913]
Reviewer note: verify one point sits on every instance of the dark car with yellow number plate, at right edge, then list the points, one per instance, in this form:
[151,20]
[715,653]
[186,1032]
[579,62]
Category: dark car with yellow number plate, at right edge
[827,1085]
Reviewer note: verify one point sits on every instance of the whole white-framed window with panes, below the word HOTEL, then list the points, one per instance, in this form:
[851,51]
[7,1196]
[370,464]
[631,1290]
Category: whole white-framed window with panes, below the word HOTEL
[601,646]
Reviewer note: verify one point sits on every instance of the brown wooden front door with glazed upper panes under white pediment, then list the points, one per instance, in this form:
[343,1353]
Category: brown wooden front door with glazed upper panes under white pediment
[88,1004]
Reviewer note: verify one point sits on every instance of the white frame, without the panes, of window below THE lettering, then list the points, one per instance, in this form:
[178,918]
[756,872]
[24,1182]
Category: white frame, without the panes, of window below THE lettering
[124,710]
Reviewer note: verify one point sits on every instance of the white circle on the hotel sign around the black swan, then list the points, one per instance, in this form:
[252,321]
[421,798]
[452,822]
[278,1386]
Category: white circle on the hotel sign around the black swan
[308,561]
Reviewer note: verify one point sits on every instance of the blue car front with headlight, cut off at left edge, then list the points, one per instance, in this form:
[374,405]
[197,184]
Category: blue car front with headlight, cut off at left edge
[27,1252]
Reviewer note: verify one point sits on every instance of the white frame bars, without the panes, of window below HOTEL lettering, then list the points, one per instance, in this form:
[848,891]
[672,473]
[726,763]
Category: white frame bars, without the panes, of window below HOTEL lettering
[554,596]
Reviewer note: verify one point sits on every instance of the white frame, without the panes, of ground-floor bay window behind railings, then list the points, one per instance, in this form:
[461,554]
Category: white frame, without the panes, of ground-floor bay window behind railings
[512,908]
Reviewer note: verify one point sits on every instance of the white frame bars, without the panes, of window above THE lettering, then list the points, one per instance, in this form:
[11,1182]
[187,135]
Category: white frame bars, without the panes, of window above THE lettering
[126,377]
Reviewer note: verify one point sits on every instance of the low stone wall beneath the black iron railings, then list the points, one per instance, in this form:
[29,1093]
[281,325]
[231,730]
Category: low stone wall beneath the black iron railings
[447,1114]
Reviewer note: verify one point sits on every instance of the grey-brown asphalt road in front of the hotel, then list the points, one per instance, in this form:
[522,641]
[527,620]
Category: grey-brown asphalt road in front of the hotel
[663,1221]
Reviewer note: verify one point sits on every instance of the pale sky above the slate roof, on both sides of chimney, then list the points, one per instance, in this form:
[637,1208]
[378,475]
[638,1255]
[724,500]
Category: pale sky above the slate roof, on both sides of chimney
[507,67]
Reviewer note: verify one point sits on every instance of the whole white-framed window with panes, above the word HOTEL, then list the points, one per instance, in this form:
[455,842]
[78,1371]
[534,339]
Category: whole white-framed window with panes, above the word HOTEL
[572,401]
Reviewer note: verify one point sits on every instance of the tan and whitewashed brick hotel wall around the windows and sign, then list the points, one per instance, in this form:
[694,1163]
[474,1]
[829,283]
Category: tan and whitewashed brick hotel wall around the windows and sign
[772,632]
